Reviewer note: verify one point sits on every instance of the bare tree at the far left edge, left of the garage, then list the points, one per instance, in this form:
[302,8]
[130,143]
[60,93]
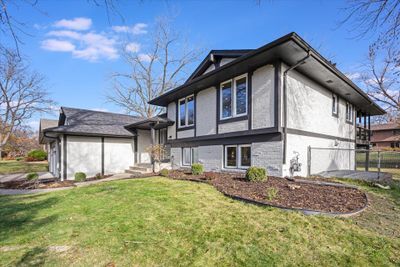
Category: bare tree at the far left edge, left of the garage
[22,94]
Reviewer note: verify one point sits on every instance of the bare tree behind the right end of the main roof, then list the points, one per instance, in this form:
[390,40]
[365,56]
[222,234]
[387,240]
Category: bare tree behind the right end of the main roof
[381,79]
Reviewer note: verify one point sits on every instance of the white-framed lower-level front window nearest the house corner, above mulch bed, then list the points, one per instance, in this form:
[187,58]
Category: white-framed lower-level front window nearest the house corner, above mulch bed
[238,156]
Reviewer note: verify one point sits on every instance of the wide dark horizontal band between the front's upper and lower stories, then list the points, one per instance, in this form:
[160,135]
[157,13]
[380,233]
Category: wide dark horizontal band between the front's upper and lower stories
[189,142]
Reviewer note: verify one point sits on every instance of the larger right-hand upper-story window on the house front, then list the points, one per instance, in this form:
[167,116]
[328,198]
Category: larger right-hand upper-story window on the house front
[234,97]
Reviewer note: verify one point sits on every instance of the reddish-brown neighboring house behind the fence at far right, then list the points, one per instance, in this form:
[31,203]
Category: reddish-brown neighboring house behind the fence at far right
[386,135]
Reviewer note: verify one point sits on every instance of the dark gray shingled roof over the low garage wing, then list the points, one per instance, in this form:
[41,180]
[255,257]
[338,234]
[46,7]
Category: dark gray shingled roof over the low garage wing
[90,122]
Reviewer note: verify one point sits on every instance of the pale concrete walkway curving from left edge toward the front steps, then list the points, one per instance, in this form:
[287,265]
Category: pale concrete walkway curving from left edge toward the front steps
[119,176]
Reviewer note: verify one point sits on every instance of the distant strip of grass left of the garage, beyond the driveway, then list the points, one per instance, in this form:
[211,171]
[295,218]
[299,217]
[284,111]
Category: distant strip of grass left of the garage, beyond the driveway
[13,166]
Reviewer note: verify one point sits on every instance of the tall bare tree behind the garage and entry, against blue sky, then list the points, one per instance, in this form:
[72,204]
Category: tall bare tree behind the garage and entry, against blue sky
[152,72]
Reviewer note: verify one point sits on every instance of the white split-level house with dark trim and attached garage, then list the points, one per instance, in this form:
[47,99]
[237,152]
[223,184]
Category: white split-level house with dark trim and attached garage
[239,108]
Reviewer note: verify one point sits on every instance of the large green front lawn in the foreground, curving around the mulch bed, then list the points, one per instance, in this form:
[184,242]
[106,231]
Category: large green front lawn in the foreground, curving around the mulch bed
[157,221]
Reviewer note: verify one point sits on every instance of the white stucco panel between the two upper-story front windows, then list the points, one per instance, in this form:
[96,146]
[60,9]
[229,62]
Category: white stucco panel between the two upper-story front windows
[206,109]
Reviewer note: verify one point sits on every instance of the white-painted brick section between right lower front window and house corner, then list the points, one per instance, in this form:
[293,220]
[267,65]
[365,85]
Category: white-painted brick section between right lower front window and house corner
[268,155]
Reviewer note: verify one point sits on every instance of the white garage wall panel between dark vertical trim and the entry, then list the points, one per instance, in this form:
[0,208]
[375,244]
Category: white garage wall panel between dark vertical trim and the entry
[118,154]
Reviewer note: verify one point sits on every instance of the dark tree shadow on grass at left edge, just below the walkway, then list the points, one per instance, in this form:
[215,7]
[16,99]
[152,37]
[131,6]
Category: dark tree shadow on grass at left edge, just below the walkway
[18,216]
